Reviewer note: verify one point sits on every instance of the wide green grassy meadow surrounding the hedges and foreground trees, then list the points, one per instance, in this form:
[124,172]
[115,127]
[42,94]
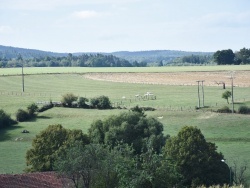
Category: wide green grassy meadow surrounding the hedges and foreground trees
[175,108]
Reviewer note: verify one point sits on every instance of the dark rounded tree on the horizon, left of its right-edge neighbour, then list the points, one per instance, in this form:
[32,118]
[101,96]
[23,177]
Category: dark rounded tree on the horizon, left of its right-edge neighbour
[224,57]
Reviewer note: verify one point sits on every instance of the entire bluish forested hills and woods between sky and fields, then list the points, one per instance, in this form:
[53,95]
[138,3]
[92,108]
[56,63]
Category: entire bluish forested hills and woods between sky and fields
[9,56]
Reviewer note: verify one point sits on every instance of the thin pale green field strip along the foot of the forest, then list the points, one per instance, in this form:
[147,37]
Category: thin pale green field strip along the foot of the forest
[59,70]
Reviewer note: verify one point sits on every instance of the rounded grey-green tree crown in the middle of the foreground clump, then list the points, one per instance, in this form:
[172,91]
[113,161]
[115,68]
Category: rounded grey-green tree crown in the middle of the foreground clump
[132,128]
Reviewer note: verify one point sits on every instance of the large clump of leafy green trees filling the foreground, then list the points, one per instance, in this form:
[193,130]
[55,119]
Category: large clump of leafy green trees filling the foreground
[128,150]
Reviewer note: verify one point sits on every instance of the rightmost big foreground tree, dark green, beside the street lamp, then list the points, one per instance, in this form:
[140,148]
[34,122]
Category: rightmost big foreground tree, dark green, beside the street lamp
[198,161]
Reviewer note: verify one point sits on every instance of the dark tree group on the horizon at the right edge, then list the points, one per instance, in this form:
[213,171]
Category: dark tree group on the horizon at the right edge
[228,57]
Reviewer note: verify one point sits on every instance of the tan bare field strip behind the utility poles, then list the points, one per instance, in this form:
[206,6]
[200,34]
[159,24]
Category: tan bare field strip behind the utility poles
[241,78]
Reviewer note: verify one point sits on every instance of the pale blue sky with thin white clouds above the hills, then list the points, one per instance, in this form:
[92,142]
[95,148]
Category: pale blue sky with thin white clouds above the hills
[125,25]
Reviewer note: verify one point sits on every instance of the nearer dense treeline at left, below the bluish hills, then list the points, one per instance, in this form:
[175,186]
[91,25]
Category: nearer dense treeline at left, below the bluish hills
[85,60]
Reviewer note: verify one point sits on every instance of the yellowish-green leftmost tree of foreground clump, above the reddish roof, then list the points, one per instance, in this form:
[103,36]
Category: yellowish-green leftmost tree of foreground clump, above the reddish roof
[46,146]
